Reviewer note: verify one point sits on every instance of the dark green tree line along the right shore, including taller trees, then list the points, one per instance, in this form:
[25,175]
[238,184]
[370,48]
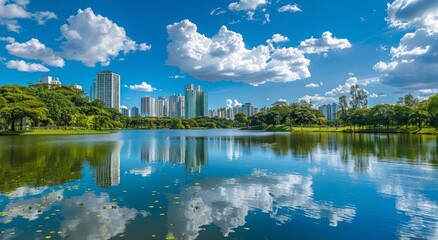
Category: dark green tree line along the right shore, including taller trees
[407,111]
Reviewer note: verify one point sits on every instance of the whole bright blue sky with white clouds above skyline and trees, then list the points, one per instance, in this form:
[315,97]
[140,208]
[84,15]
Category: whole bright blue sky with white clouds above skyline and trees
[255,51]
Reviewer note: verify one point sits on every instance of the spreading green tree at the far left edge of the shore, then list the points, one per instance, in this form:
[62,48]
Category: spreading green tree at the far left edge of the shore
[20,102]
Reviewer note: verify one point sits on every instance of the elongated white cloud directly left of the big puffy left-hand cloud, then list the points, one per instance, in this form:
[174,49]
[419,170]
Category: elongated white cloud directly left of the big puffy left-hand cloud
[35,50]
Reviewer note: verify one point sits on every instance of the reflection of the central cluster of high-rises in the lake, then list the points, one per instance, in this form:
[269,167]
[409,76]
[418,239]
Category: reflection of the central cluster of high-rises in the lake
[190,151]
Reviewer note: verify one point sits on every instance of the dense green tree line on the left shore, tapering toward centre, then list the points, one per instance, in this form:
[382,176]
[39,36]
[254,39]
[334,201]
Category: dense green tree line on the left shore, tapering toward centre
[44,105]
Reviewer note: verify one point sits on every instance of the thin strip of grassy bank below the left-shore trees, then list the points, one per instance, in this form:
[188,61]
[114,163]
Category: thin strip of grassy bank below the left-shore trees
[40,132]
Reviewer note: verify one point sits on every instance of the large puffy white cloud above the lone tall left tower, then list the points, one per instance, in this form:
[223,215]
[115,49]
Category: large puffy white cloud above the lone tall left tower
[92,39]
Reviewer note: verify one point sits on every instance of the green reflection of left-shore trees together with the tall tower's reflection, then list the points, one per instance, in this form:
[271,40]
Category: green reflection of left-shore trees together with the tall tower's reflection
[24,162]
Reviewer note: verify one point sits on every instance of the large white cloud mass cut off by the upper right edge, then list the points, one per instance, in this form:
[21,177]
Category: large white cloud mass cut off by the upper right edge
[413,64]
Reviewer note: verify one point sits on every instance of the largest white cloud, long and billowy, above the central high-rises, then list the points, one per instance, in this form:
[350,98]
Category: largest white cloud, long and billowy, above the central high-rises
[225,57]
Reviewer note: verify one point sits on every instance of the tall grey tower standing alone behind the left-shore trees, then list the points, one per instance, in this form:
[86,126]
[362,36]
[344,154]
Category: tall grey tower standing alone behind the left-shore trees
[108,88]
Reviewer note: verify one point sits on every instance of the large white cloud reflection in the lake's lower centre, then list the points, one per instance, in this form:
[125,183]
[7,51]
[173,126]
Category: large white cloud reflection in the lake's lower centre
[226,203]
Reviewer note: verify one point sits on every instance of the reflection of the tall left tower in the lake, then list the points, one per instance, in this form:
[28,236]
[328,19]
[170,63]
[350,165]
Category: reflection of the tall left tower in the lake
[107,173]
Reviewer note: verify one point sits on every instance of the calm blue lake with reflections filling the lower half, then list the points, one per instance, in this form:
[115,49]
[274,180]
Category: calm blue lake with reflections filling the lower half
[215,184]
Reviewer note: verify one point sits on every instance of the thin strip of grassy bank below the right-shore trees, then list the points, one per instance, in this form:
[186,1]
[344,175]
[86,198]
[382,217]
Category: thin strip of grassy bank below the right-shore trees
[401,130]
